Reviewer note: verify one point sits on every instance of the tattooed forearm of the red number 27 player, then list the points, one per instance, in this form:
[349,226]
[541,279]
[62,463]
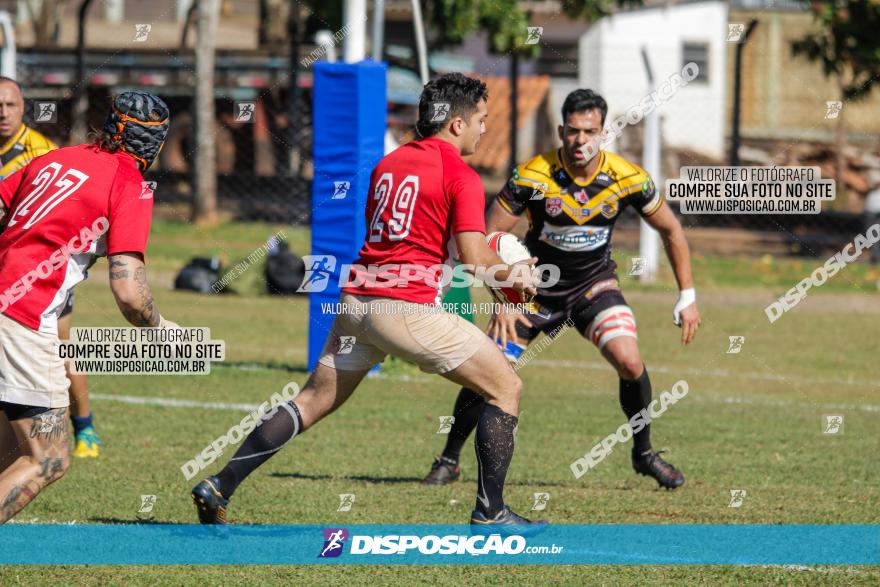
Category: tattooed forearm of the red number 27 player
[128,281]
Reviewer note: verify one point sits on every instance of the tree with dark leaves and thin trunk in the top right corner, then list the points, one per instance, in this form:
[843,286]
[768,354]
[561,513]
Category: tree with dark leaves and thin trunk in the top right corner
[846,43]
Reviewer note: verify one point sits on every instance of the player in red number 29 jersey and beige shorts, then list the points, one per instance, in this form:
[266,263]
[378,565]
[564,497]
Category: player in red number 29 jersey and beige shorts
[421,197]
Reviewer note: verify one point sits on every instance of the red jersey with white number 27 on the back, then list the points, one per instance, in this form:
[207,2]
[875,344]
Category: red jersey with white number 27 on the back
[63,210]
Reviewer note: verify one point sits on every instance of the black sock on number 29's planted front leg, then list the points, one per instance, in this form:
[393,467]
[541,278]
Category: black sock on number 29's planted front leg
[496,437]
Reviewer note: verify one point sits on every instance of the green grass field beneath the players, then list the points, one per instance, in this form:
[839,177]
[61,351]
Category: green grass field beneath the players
[751,421]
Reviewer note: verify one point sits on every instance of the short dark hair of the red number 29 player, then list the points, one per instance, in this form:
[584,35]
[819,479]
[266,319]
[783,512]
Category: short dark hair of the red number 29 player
[459,92]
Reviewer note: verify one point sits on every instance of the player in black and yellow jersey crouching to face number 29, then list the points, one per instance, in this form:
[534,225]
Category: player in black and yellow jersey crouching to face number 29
[573,196]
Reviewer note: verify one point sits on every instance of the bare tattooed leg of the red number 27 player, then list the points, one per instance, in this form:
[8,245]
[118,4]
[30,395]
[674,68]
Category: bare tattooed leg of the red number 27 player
[42,450]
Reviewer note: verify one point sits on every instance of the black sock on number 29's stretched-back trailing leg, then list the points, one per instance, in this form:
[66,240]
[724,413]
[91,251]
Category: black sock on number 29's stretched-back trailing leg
[274,431]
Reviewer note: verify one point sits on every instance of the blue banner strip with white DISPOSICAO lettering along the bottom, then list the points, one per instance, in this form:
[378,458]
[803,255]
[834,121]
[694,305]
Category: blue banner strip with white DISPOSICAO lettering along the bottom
[658,544]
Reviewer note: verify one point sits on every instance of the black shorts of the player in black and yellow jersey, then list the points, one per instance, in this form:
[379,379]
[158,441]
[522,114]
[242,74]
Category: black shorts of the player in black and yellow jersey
[594,297]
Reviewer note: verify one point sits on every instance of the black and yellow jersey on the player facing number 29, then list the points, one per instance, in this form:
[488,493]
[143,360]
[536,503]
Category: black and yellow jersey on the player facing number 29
[570,223]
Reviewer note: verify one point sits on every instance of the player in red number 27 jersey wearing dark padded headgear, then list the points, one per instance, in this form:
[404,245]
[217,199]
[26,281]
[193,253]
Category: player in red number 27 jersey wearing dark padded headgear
[60,213]
